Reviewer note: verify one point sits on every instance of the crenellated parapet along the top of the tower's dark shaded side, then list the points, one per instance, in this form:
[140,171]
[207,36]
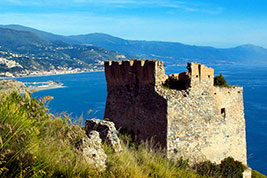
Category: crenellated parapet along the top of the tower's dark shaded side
[134,72]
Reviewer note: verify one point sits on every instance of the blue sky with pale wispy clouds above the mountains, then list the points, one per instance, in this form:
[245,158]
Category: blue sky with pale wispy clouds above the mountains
[219,23]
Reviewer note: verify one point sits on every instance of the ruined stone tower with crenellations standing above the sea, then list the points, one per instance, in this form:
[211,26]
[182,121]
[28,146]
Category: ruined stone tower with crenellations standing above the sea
[194,119]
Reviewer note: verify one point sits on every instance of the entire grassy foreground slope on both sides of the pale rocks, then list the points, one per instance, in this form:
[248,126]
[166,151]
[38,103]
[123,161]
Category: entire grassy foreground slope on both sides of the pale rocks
[35,143]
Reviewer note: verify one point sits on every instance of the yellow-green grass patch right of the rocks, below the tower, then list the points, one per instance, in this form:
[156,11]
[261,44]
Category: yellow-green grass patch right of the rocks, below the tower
[143,161]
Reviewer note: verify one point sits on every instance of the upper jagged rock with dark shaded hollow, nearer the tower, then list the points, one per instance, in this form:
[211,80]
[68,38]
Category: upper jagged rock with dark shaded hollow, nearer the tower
[106,130]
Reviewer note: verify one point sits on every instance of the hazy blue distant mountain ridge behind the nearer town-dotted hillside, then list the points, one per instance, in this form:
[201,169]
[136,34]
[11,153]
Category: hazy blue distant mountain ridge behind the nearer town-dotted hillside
[170,52]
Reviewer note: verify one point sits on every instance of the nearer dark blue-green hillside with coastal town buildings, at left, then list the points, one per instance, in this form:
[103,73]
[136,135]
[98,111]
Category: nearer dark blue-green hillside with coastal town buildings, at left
[21,50]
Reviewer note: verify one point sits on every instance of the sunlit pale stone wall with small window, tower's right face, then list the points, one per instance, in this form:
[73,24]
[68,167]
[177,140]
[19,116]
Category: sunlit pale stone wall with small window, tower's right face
[198,131]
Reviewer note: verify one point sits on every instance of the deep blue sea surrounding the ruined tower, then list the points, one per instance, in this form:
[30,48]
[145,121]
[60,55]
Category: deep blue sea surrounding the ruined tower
[87,91]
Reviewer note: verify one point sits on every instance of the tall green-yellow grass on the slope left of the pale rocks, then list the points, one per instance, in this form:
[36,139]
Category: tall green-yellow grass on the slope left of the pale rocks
[37,144]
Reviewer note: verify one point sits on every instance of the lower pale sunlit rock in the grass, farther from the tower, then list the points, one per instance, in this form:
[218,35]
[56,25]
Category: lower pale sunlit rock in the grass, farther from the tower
[92,150]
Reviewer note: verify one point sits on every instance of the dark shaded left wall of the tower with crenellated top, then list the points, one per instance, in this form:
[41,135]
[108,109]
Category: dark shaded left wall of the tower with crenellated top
[132,103]
